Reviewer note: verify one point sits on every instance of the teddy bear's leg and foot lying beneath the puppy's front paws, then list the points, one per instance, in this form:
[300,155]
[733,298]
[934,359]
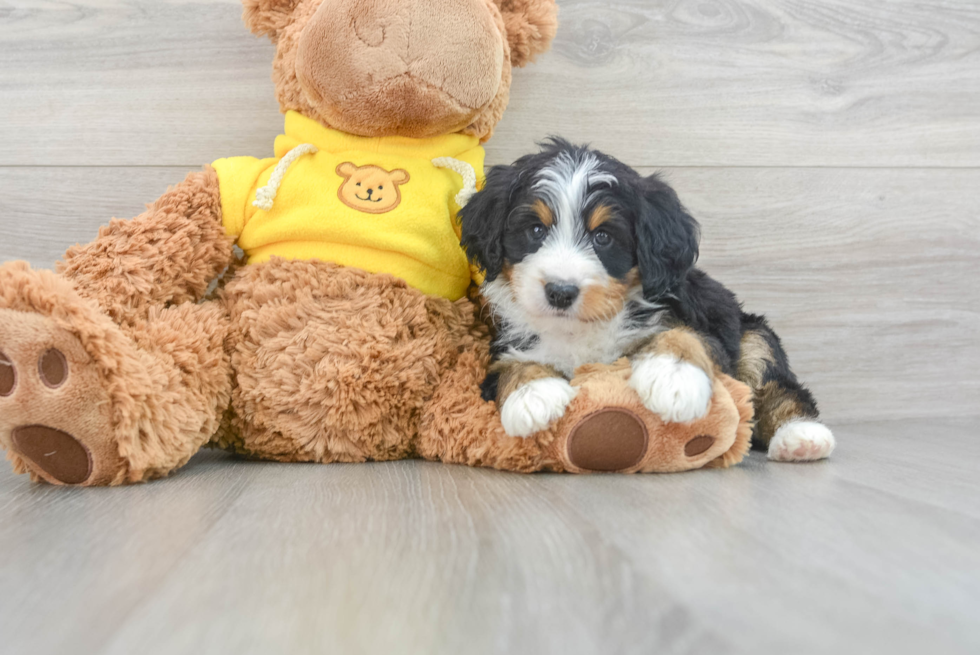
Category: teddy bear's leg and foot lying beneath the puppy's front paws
[604,429]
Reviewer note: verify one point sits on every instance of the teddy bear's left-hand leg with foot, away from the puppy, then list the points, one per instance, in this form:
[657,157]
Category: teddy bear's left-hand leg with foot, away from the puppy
[84,401]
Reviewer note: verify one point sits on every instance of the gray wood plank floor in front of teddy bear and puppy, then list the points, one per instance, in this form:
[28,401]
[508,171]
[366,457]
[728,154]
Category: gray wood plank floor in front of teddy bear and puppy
[873,552]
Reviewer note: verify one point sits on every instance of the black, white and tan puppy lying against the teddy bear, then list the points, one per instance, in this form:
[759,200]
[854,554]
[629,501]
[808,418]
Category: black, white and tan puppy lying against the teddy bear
[587,262]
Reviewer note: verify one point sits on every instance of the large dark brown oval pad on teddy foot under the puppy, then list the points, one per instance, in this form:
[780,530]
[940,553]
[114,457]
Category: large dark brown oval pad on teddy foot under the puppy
[608,440]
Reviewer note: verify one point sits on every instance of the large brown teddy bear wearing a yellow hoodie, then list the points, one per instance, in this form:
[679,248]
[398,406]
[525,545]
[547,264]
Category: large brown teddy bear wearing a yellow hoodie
[348,335]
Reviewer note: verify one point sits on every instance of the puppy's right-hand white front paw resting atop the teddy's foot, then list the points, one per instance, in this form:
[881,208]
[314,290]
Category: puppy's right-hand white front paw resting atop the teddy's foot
[676,390]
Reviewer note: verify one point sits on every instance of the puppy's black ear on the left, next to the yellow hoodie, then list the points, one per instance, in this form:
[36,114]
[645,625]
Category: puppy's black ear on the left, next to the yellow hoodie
[484,219]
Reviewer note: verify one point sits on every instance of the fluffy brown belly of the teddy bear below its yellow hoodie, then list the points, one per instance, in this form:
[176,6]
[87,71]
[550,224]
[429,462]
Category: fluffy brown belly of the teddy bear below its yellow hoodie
[332,363]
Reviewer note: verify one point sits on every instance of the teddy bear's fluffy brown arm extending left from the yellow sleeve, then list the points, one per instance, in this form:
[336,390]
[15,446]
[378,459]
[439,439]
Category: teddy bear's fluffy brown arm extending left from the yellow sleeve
[167,255]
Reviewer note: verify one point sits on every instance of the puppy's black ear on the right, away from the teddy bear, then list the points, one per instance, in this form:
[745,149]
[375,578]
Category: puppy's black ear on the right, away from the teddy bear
[667,239]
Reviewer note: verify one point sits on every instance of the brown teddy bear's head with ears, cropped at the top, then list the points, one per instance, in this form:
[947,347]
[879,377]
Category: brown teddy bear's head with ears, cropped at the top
[415,68]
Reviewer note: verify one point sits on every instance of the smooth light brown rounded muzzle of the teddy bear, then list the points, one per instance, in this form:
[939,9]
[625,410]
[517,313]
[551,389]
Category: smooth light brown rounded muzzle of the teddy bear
[409,68]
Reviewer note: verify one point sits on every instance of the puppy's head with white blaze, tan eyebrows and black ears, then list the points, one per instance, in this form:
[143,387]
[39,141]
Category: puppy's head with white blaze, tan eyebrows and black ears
[573,234]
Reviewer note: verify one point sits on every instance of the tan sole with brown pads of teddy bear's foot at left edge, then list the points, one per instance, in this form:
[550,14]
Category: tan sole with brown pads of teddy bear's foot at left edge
[54,410]
